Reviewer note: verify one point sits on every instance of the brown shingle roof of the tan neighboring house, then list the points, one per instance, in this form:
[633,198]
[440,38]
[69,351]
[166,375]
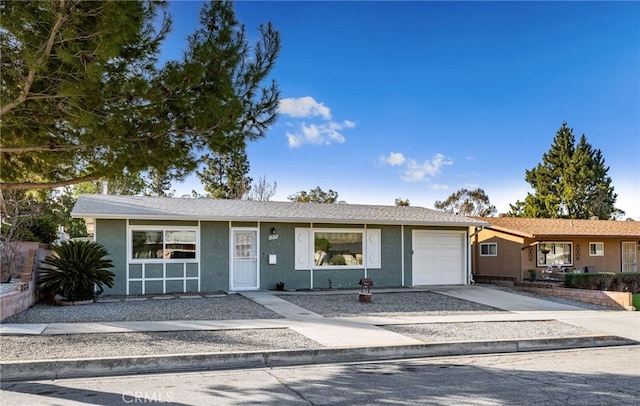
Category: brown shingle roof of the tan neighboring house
[537,227]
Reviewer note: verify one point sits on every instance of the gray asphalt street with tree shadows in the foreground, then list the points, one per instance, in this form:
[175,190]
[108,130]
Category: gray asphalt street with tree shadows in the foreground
[589,377]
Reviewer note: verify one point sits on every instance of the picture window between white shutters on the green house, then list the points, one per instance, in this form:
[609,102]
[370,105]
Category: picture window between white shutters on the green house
[337,248]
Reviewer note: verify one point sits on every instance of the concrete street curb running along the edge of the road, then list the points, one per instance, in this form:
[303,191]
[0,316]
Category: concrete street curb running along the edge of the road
[96,367]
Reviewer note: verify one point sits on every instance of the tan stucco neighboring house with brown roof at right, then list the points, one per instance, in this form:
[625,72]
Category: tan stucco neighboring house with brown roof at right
[512,245]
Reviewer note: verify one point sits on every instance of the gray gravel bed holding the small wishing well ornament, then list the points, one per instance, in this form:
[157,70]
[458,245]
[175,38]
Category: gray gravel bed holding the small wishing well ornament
[387,304]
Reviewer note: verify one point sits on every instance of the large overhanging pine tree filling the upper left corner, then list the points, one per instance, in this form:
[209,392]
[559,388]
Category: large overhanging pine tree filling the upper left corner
[82,97]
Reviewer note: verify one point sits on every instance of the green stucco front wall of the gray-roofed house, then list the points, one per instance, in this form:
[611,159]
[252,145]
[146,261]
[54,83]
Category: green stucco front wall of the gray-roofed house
[277,239]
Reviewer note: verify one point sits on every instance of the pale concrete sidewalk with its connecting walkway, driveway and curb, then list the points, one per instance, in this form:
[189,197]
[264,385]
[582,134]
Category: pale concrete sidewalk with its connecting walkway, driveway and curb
[343,339]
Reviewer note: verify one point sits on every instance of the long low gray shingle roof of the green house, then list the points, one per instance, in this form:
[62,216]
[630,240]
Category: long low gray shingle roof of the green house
[167,208]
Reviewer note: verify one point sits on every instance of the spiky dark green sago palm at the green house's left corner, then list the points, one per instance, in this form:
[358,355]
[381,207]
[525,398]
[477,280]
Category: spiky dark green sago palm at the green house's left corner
[78,268]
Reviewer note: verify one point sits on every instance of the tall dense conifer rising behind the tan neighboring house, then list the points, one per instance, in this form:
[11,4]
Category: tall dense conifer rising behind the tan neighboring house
[570,182]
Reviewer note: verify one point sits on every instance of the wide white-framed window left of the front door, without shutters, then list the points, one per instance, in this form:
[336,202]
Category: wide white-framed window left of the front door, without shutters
[163,244]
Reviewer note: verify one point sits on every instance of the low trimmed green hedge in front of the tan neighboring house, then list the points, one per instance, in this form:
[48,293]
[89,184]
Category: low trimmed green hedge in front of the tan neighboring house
[621,282]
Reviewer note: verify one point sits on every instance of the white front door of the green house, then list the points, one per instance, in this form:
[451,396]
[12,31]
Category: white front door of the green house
[244,259]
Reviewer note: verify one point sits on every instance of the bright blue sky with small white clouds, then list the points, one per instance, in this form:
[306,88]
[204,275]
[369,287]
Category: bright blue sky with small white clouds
[416,100]
